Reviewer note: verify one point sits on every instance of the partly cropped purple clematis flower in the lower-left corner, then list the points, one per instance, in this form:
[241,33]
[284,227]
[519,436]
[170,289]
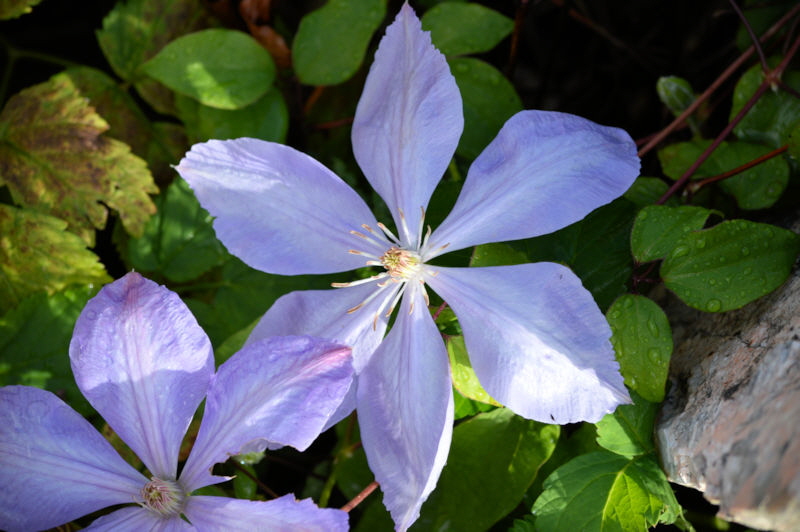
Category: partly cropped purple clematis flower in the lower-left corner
[143,362]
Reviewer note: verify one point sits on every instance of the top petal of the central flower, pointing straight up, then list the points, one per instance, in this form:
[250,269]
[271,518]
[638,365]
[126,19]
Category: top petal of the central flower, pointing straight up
[408,121]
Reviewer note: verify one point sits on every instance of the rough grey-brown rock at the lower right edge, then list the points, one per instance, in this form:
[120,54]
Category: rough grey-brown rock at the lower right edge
[730,425]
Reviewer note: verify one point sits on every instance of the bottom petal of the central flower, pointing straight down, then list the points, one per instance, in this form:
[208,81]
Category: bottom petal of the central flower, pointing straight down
[405,410]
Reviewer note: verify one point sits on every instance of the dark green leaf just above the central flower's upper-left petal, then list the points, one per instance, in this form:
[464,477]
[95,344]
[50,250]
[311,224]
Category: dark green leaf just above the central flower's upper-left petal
[267,118]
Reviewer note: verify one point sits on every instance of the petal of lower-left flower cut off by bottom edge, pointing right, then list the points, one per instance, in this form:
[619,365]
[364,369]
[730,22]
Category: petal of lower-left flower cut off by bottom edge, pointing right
[284,514]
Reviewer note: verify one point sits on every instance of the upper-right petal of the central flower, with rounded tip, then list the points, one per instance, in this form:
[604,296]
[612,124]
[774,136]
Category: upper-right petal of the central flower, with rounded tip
[542,172]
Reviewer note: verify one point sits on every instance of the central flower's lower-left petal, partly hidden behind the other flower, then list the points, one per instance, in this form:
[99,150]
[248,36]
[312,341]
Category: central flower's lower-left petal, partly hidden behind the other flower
[324,313]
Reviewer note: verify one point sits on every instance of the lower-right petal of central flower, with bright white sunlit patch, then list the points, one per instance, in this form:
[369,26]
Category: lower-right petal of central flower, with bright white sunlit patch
[536,339]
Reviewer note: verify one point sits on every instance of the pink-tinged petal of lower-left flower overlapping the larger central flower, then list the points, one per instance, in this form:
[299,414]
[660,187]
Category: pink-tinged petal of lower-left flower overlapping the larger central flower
[280,390]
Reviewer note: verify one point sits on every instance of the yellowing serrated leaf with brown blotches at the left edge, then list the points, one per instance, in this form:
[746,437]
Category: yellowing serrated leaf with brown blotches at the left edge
[54,159]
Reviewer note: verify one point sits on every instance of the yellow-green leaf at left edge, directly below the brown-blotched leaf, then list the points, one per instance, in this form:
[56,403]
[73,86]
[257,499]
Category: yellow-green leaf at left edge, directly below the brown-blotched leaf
[37,254]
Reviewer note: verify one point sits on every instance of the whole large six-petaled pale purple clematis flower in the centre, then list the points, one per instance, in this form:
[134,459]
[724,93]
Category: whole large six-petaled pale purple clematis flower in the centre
[536,339]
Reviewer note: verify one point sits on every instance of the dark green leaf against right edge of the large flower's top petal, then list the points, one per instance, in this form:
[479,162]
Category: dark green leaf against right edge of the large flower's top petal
[489,100]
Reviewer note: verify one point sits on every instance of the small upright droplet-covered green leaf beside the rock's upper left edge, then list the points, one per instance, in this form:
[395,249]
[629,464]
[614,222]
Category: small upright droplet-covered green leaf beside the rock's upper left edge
[642,339]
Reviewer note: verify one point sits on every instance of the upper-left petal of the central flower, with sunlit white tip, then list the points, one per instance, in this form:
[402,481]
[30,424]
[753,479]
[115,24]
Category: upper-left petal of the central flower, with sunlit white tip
[277,209]
